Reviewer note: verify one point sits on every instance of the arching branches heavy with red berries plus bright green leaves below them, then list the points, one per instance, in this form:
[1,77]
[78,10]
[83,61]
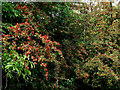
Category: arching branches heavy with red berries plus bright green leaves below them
[28,50]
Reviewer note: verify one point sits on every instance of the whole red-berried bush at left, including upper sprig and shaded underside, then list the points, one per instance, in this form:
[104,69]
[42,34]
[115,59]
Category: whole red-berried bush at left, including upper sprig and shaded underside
[24,49]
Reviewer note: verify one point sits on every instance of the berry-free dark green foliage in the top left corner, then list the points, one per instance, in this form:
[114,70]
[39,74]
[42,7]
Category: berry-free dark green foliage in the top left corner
[11,14]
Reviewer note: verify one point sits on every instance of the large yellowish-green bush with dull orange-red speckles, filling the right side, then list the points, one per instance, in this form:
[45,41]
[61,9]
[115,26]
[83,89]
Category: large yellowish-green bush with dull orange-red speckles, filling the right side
[100,52]
